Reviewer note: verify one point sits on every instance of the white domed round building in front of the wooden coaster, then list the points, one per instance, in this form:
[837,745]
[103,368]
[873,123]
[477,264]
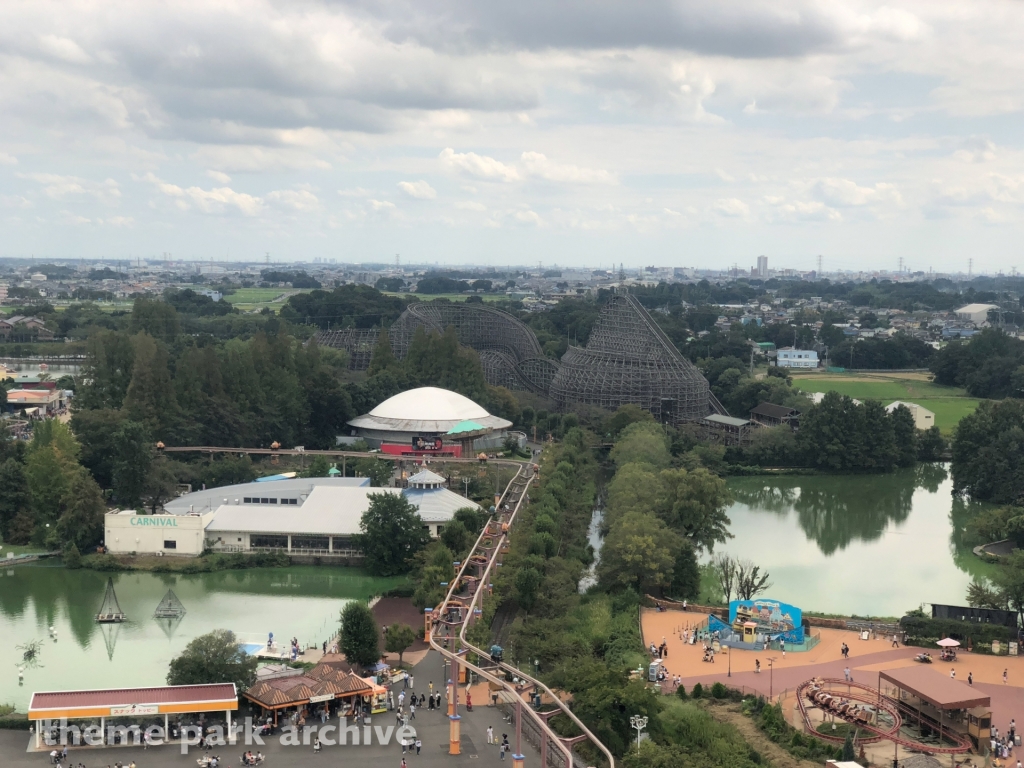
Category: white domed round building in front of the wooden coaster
[415,420]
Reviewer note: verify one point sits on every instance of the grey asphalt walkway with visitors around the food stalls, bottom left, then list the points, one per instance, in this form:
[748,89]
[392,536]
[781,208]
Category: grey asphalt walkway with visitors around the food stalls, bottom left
[433,729]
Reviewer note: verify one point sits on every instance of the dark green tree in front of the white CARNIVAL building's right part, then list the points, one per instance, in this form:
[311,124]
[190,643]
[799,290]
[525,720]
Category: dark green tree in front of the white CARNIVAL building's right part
[392,533]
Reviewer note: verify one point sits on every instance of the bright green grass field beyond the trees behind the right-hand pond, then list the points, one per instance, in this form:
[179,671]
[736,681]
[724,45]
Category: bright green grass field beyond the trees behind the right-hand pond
[950,404]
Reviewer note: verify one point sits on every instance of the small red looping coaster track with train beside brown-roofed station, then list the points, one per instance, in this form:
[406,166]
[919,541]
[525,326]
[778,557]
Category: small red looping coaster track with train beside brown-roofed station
[866,708]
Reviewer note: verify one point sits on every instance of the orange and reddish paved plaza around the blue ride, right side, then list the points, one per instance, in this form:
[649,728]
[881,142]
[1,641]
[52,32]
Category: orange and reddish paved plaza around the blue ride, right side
[868,658]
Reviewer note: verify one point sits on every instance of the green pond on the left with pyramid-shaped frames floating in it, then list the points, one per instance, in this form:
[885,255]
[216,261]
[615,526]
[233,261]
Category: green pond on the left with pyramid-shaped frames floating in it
[300,602]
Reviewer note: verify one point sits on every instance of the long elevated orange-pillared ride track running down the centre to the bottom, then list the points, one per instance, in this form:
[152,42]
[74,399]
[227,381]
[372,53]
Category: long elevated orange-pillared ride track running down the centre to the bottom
[463,607]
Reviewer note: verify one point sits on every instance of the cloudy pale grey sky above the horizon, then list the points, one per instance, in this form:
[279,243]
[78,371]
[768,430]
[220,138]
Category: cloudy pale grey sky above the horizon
[654,133]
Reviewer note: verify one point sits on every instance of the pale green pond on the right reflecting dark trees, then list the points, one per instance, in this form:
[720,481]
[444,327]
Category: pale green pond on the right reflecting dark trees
[858,544]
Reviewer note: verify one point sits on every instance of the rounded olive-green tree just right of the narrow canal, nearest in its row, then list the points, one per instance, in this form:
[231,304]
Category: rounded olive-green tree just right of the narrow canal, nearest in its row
[638,552]
